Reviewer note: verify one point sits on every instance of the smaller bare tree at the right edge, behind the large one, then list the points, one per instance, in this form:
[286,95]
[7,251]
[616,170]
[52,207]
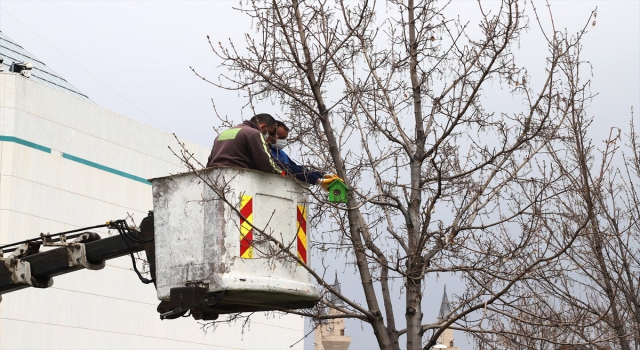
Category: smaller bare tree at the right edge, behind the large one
[591,302]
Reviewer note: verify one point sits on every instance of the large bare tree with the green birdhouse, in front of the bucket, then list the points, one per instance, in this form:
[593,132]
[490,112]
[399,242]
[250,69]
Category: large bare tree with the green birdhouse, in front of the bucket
[404,103]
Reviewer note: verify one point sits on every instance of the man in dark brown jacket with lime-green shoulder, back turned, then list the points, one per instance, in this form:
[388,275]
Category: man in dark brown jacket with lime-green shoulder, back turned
[244,146]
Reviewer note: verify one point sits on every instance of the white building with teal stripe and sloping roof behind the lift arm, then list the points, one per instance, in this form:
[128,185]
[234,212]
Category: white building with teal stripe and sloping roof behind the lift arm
[67,163]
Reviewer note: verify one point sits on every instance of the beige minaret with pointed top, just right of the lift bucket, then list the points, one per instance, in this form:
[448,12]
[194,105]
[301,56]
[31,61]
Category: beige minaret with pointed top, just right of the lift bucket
[330,333]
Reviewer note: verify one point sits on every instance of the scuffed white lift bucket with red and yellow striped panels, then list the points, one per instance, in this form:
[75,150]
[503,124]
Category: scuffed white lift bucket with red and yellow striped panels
[209,259]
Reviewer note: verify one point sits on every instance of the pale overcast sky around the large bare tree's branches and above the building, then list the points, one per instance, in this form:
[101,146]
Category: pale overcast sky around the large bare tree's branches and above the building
[133,57]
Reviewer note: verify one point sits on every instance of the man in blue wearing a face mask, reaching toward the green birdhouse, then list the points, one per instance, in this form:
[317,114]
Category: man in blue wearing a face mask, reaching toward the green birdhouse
[278,141]
